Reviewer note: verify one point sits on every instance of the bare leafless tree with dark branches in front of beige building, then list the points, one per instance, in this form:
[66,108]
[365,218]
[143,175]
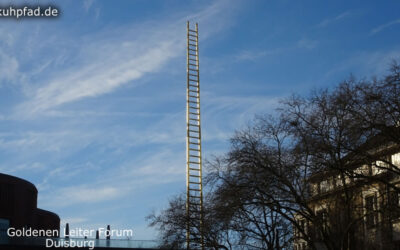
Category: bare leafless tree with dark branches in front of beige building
[266,192]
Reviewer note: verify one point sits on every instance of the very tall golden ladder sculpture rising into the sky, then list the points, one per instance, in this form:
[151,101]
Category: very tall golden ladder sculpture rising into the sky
[194,185]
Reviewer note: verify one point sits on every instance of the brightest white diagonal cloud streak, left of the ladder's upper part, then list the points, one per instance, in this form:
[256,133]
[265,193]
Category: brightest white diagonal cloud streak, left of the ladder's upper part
[100,77]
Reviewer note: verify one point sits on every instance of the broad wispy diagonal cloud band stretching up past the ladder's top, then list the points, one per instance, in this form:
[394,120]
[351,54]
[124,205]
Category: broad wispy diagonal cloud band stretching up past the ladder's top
[124,59]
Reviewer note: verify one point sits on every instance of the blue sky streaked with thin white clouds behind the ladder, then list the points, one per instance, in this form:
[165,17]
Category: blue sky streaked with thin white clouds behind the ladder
[92,104]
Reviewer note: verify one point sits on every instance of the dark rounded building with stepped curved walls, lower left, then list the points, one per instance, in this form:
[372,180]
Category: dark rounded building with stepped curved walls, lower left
[18,205]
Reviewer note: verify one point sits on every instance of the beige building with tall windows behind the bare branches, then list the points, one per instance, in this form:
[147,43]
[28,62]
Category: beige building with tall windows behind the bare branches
[356,207]
